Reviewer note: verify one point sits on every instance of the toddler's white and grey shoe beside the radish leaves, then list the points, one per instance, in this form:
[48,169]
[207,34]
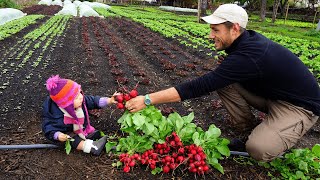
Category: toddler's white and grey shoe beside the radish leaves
[94,147]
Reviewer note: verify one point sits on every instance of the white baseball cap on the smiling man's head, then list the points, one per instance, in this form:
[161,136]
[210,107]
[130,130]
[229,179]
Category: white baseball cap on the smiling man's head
[228,12]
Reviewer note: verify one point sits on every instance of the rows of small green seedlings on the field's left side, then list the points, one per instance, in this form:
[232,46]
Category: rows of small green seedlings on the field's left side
[31,51]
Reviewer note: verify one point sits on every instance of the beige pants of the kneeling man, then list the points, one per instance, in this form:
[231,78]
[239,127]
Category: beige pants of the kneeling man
[283,126]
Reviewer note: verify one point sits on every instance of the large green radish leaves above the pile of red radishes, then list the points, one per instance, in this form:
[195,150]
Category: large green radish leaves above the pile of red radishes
[149,126]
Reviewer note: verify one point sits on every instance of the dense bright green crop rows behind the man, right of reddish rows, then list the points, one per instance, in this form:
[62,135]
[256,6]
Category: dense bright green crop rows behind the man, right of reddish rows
[190,33]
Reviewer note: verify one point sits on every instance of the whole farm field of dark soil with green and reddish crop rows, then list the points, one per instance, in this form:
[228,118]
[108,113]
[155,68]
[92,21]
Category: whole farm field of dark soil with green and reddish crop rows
[104,54]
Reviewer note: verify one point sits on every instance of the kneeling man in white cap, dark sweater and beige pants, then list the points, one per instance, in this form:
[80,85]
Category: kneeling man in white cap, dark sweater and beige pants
[256,72]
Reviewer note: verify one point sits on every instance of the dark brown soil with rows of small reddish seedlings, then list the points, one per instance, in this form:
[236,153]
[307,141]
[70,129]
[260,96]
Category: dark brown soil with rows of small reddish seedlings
[89,52]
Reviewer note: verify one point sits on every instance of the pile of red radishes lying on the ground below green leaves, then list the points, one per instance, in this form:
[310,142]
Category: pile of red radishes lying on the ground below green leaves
[168,156]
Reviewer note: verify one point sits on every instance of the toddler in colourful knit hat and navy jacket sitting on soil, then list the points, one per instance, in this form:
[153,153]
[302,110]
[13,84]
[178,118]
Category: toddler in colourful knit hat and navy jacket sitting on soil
[65,115]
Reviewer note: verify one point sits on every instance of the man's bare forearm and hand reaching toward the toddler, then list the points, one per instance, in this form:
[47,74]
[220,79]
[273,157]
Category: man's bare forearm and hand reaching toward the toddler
[164,96]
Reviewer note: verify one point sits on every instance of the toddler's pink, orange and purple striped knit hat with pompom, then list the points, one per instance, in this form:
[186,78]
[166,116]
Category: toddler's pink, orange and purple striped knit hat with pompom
[63,92]
